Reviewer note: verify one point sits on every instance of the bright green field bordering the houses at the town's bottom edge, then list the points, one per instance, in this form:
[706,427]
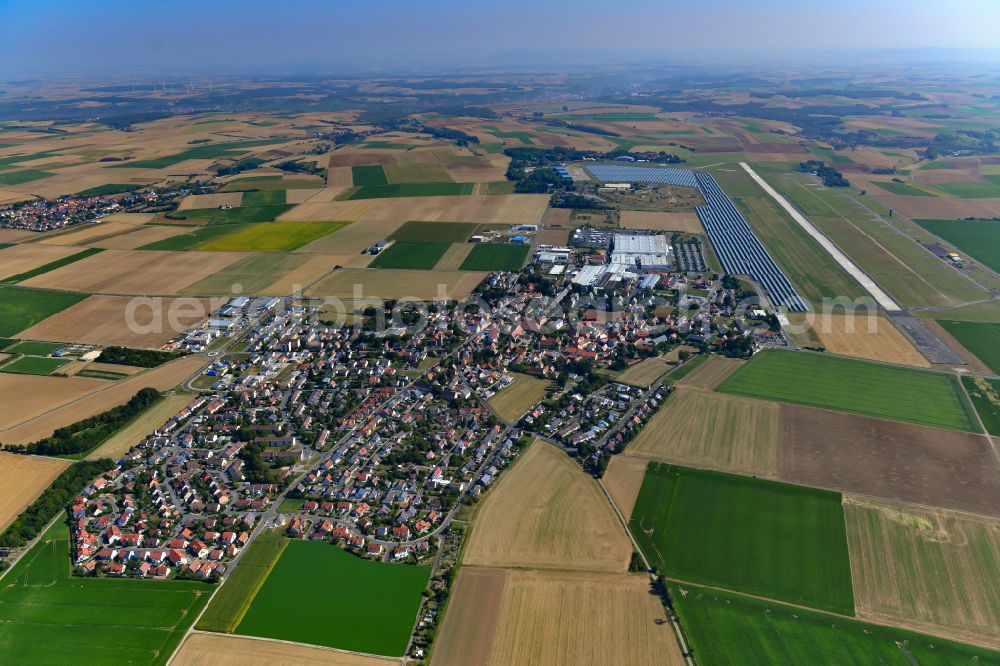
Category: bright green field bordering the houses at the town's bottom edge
[322,595]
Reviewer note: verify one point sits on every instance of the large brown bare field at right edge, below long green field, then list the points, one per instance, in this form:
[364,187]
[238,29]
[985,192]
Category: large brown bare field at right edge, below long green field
[900,461]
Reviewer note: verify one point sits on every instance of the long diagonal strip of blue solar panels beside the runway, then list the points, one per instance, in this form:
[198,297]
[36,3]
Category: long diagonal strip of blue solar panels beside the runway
[740,250]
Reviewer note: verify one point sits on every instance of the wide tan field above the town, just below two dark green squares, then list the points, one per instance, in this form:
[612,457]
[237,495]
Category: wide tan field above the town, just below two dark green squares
[357,283]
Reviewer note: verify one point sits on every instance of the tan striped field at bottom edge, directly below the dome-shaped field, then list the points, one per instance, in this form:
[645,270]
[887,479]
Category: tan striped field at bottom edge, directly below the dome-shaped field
[570,618]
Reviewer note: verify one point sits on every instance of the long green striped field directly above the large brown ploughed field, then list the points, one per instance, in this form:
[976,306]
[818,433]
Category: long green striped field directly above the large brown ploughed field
[847,385]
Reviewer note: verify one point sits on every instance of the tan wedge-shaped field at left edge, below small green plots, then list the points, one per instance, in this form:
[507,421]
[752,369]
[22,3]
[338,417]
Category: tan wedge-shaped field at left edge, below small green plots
[26,396]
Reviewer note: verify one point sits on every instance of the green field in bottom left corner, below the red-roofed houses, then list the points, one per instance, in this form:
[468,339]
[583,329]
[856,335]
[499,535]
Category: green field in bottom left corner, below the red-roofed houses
[50,617]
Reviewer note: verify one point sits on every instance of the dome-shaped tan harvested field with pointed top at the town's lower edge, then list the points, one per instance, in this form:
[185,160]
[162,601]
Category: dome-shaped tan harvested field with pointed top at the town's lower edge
[546,513]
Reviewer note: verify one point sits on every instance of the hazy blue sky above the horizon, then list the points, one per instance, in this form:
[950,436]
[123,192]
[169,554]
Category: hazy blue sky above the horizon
[113,37]
